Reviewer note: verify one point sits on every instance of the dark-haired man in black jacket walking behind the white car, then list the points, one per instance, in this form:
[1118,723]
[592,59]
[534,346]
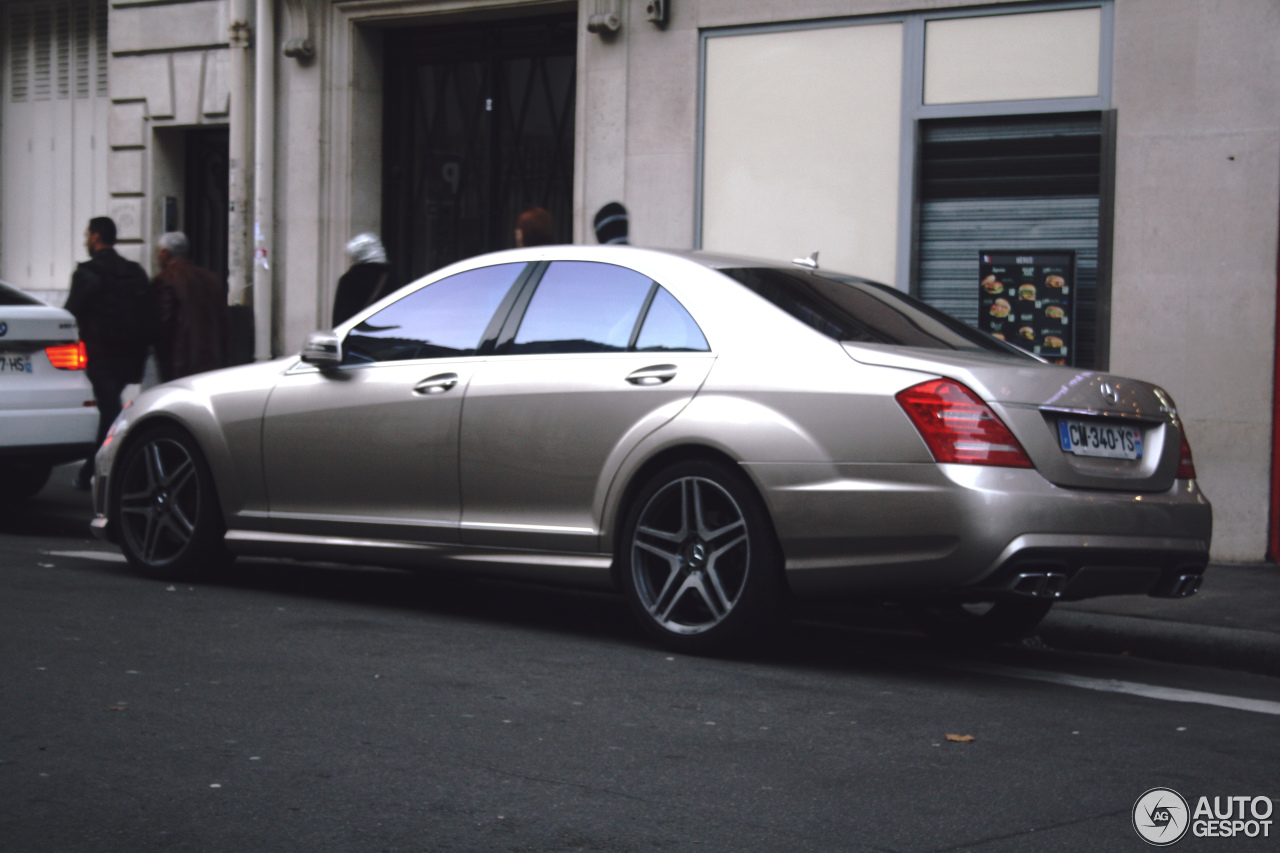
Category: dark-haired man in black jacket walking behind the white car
[112,302]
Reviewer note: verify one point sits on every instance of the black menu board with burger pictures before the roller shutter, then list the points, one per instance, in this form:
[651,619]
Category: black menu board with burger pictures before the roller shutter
[1028,299]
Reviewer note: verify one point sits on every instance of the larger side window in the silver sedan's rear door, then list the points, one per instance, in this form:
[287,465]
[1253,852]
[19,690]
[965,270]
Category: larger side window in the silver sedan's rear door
[583,307]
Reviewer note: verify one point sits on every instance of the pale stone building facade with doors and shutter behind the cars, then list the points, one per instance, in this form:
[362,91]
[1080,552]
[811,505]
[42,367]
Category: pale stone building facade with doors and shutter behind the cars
[1133,145]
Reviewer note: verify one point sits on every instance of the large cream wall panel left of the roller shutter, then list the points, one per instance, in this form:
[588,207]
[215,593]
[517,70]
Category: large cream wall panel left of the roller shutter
[802,147]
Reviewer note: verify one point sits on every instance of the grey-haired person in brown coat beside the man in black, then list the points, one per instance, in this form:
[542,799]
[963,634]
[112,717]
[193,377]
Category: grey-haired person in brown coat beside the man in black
[193,307]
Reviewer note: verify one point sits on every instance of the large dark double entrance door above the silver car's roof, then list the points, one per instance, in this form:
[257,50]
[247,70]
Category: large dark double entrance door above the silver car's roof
[479,126]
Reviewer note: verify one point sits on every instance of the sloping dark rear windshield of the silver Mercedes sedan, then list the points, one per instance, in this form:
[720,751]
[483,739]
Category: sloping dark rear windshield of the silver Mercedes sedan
[861,312]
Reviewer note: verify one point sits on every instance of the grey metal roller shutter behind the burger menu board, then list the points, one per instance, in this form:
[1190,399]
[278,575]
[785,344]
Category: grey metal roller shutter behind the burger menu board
[1009,184]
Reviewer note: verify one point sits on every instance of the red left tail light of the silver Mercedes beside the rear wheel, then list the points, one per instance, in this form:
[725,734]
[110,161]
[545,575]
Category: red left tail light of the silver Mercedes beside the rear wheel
[959,427]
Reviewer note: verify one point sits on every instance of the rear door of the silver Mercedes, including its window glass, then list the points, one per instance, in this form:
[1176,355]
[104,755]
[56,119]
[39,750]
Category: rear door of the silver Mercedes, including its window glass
[601,358]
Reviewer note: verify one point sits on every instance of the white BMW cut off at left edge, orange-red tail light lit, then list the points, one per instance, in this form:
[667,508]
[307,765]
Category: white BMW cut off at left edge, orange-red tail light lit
[48,416]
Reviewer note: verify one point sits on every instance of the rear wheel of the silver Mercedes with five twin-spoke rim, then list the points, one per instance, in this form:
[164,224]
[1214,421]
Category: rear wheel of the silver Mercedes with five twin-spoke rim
[701,565]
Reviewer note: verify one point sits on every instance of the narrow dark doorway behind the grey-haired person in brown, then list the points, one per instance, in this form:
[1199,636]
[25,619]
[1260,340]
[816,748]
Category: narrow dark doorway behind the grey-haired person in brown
[205,216]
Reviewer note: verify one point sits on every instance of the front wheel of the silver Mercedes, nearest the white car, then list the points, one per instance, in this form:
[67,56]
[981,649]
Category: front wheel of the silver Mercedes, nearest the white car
[166,508]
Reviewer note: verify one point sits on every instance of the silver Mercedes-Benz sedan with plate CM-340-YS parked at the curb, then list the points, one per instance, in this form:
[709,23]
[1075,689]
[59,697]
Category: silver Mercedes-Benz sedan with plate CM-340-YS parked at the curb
[710,435]
